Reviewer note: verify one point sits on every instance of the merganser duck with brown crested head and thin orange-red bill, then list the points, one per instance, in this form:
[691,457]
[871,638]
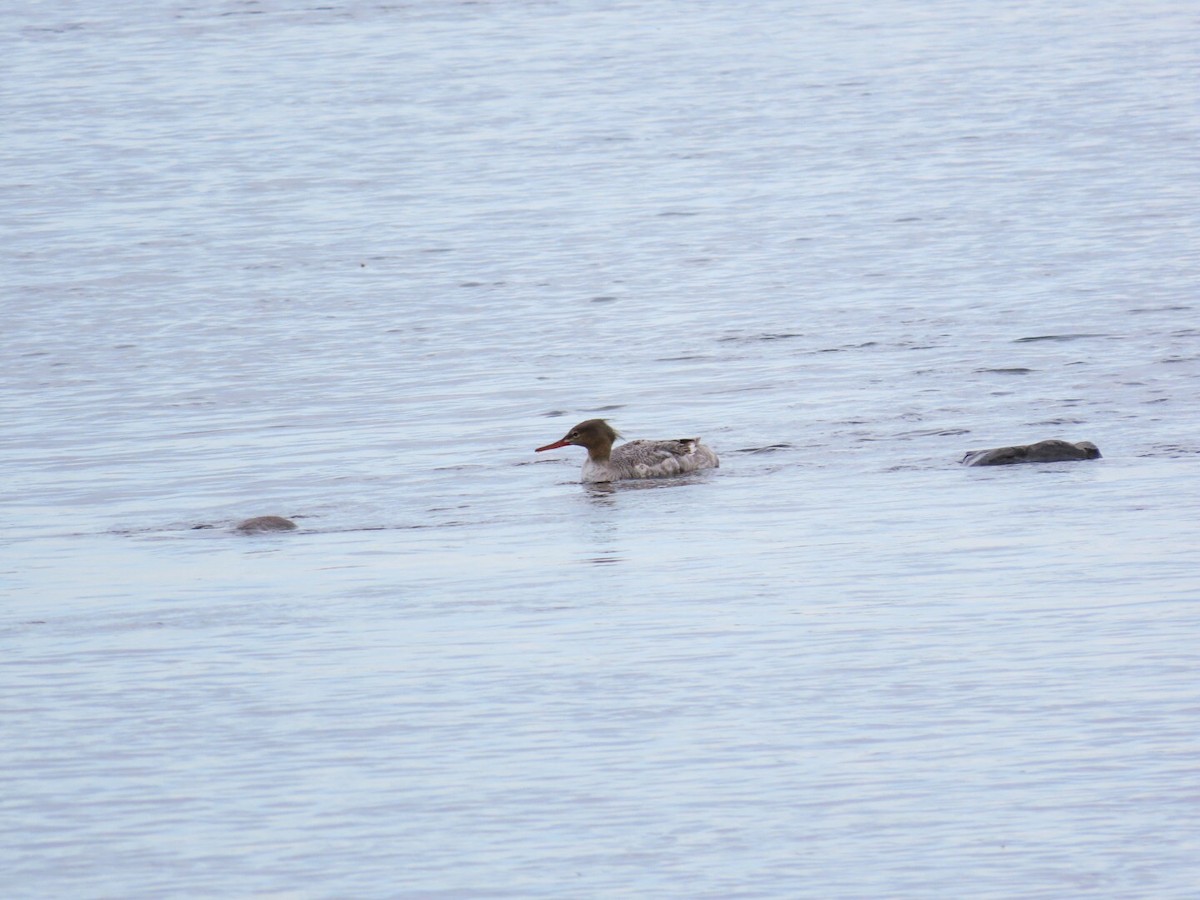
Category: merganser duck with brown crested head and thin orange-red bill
[637,459]
